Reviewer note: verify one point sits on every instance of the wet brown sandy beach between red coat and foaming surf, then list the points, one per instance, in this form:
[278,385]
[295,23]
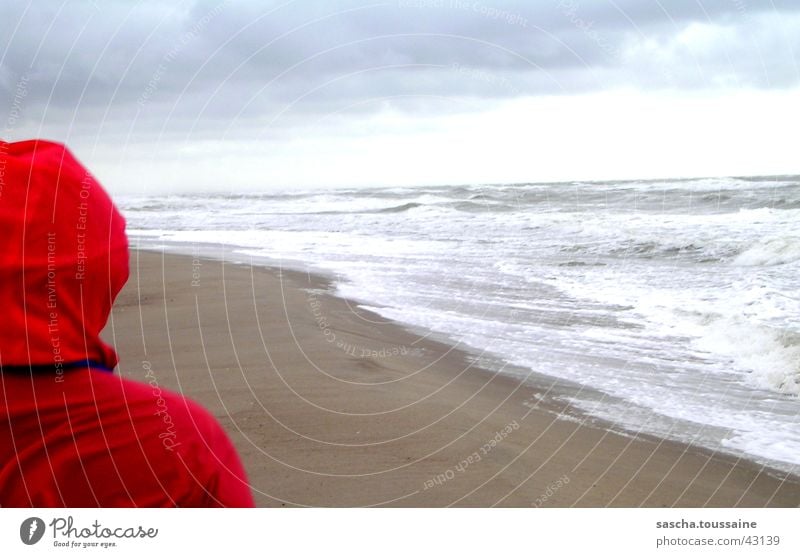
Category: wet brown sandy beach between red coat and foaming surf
[331,405]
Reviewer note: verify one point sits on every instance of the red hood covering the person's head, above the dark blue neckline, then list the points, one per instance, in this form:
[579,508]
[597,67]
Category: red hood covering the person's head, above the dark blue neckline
[63,258]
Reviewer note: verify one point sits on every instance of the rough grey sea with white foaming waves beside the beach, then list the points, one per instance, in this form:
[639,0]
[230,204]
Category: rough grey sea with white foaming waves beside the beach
[673,305]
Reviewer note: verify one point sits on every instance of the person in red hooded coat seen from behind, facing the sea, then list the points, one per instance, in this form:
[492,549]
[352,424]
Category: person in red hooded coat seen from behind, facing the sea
[72,433]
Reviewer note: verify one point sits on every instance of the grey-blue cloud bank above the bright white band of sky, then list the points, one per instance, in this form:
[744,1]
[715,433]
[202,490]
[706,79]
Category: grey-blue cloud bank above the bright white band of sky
[209,65]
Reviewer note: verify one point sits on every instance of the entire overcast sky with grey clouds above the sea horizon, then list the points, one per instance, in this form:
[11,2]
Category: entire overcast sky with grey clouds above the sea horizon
[233,95]
